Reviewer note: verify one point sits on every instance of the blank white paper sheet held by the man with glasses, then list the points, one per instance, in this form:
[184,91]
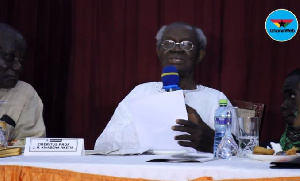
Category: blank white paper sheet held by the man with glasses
[171,107]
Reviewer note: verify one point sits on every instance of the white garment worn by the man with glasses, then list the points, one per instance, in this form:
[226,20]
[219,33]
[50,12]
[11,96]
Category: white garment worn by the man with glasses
[120,132]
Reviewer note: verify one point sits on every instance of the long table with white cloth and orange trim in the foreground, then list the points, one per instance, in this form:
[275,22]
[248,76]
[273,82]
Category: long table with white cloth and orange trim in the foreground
[134,167]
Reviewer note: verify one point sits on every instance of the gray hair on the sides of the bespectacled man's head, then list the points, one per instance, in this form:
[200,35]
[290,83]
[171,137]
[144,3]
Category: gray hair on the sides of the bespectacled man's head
[200,37]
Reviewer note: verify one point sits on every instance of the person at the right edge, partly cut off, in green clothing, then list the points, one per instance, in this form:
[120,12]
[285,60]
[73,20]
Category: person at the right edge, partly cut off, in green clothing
[291,111]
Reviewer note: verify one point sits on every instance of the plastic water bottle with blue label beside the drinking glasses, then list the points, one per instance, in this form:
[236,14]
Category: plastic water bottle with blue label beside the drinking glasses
[222,123]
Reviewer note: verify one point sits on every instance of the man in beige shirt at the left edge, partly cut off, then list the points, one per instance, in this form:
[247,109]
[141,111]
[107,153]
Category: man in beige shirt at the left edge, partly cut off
[21,107]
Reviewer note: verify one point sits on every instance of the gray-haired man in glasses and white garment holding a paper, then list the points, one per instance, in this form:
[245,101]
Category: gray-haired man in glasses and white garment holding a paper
[183,46]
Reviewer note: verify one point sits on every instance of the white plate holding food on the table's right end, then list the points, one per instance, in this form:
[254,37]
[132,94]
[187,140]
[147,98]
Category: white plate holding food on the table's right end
[273,158]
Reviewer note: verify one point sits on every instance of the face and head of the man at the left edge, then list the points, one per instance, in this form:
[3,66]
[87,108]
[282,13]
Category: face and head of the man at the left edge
[12,52]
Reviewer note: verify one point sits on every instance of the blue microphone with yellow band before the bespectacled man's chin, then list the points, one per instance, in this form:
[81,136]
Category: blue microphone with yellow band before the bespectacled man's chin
[170,78]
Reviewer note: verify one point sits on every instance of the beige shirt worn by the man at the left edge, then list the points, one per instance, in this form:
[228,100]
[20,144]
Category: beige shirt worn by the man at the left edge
[25,107]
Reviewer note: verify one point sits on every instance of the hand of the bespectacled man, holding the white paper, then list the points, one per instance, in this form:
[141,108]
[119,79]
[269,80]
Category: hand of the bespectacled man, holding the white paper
[198,134]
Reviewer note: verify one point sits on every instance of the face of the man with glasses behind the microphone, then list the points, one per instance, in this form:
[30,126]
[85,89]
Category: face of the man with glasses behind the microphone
[184,61]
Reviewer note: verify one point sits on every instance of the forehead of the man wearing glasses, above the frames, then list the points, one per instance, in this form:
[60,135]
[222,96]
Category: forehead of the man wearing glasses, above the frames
[179,31]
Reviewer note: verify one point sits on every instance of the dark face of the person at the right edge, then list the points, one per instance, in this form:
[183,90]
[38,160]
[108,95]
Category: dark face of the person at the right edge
[290,91]
